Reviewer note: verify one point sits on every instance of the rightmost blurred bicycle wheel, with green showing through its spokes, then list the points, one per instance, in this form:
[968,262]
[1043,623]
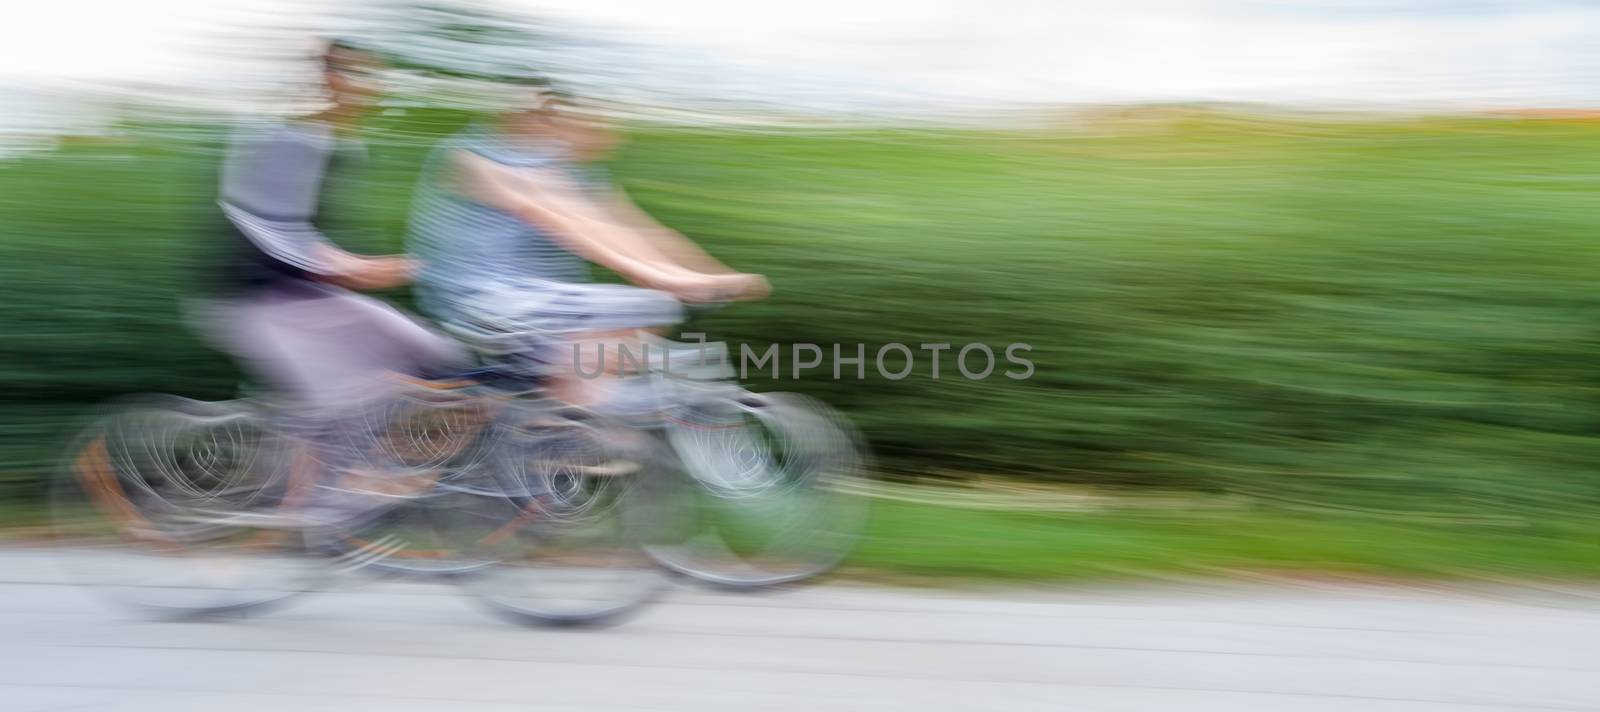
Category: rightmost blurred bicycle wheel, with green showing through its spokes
[772,492]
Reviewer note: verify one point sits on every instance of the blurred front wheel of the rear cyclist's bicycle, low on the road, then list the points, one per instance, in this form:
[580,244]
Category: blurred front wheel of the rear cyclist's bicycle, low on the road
[566,529]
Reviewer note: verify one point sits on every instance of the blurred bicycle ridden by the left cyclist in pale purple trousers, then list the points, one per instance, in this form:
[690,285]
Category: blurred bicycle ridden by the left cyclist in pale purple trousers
[182,508]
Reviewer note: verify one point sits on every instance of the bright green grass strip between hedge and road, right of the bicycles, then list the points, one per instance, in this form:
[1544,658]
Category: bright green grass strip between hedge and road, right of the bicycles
[942,543]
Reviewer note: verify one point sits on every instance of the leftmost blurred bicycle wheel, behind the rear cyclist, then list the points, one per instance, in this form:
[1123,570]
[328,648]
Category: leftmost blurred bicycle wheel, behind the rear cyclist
[143,500]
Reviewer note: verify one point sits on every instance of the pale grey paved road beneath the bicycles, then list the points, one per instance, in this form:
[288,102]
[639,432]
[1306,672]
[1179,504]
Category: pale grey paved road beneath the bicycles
[1185,647]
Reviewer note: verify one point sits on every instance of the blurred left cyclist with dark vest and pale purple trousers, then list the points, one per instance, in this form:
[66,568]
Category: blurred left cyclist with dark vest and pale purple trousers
[282,302]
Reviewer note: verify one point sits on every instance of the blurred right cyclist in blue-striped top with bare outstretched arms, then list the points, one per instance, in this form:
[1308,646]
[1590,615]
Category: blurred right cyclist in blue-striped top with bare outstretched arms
[511,214]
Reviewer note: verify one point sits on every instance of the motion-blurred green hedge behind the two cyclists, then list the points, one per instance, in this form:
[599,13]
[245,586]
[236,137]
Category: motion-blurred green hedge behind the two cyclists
[1385,316]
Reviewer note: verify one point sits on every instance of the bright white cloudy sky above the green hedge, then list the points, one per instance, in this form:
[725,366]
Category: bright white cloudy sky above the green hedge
[1473,52]
